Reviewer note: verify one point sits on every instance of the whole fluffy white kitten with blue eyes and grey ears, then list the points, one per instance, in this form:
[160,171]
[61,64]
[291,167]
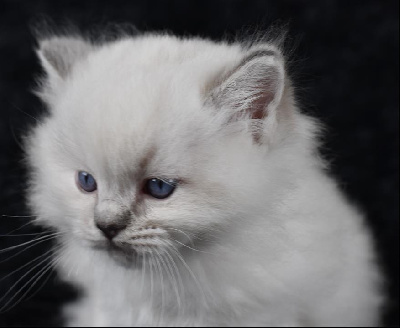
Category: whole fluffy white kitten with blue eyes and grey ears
[187,189]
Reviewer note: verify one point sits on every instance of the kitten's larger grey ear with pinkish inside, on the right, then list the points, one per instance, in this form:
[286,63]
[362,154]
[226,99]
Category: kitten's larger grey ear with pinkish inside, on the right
[253,89]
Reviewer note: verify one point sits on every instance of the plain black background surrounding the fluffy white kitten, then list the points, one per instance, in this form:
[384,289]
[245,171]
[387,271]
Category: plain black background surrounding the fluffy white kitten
[346,68]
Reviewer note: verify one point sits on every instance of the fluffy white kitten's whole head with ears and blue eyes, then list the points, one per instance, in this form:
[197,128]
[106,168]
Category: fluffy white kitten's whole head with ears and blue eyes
[155,140]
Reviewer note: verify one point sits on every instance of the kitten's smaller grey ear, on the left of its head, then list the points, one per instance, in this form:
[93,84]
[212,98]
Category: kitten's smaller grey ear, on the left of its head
[58,55]
